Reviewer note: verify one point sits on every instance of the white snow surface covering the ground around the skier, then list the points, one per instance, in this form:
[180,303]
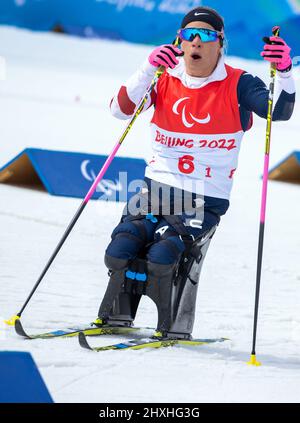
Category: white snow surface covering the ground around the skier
[56,95]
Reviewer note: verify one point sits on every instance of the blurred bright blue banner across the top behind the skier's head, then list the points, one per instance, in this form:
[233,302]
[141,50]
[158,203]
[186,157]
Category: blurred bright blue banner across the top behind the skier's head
[156,21]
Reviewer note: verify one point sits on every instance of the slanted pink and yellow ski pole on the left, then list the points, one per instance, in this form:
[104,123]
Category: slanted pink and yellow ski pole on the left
[91,191]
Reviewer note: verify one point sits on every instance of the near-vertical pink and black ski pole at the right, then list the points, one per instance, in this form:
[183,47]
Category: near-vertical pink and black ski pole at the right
[253,360]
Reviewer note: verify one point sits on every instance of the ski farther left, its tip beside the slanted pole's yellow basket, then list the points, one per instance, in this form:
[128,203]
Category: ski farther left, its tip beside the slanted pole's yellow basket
[88,330]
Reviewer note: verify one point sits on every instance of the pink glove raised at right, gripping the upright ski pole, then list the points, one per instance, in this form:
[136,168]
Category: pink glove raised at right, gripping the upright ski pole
[277,51]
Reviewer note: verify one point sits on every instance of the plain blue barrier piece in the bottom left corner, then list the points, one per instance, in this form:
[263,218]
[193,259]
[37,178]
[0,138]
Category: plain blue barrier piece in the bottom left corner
[20,380]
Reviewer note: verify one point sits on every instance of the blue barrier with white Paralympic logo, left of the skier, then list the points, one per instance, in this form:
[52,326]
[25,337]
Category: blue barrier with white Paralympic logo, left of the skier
[71,174]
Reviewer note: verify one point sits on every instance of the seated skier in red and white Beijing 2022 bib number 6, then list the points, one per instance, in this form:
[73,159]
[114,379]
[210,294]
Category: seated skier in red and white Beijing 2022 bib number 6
[202,108]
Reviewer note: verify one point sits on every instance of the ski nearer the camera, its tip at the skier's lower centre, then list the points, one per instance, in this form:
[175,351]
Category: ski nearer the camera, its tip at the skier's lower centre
[137,344]
